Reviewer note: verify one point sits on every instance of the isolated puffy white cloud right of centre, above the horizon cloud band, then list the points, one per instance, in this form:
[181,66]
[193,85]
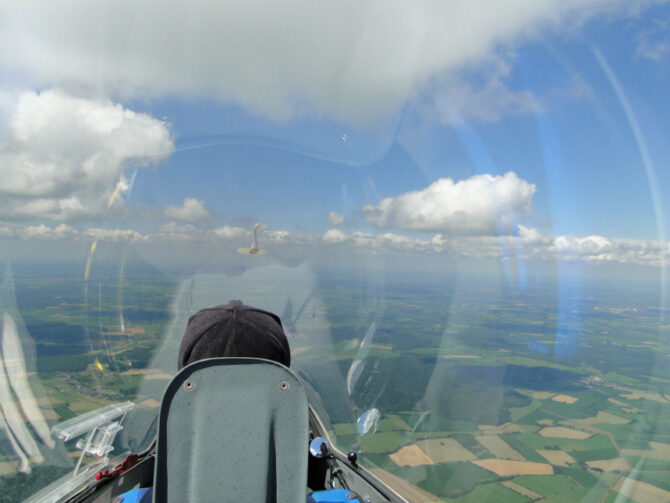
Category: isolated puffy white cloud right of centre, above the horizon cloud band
[478,205]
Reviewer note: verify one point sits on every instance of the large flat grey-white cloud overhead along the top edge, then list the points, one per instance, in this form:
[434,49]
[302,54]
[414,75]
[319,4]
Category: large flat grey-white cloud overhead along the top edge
[352,61]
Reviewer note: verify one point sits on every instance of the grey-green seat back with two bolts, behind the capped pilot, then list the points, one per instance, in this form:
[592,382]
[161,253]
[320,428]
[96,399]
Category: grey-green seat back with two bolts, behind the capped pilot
[232,429]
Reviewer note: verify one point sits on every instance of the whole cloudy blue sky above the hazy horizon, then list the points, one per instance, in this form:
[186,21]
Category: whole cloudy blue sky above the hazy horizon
[516,130]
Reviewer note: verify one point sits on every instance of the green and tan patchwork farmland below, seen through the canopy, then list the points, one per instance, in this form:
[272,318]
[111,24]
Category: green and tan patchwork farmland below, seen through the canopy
[482,393]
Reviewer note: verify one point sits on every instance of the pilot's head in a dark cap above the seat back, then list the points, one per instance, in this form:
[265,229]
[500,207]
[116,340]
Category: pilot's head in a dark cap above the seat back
[234,330]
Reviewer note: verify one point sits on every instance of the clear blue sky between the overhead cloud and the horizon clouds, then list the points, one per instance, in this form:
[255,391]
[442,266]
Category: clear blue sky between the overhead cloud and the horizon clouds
[579,151]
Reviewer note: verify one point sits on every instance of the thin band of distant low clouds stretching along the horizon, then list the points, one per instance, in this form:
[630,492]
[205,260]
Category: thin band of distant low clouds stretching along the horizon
[526,244]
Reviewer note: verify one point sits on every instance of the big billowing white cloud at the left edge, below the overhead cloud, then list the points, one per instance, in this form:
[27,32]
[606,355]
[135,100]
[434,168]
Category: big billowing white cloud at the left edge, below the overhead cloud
[64,157]
